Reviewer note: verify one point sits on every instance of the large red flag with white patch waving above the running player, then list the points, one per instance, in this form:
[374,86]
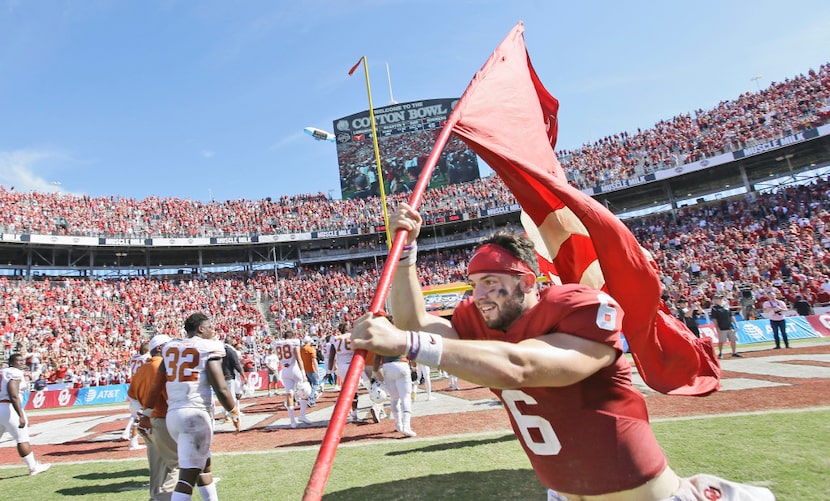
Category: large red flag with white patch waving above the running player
[509,119]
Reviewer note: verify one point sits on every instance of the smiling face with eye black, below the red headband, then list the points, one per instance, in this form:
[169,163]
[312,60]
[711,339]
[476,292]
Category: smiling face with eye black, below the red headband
[498,297]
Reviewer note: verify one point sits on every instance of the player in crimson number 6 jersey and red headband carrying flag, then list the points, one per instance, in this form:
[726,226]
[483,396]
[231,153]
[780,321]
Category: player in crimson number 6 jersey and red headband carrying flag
[555,360]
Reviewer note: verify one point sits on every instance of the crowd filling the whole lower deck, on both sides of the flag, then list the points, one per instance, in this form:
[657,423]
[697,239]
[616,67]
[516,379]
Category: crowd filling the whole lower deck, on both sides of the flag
[83,331]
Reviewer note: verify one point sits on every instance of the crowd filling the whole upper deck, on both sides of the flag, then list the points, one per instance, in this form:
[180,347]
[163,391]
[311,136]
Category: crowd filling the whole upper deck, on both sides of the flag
[782,109]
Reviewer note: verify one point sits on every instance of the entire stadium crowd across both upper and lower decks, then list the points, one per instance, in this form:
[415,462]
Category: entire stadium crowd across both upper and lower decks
[83,331]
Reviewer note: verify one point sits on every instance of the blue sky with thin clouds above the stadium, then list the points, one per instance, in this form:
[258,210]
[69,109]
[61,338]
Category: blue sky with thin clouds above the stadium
[201,99]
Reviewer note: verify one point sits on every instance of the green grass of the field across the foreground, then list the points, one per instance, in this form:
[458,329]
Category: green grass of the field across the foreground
[786,451]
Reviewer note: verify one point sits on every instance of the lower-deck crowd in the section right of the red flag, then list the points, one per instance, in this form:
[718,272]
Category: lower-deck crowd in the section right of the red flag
[777,241]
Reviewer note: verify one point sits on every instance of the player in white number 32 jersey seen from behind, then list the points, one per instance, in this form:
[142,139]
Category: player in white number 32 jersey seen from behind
[192,367]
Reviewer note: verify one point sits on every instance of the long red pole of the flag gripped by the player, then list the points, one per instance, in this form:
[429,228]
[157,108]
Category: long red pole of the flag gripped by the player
[322,466]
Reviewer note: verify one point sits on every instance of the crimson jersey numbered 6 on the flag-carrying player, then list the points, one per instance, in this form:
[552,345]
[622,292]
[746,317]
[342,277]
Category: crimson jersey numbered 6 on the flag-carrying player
[589,438]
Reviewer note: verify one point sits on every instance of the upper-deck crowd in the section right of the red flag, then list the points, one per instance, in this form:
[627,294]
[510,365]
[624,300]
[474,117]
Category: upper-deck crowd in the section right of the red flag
[782,109]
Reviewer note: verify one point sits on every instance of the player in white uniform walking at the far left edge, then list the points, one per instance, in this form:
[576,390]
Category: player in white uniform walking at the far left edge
[12,417]
